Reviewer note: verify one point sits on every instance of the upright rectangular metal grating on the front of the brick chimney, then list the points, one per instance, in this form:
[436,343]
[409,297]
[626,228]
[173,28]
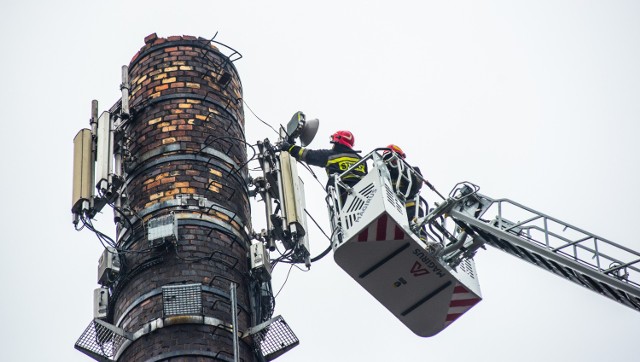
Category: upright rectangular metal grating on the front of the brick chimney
[185,299]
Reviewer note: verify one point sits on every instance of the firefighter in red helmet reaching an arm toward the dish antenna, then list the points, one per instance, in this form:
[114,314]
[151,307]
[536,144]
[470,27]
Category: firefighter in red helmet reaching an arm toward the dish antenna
[335,160]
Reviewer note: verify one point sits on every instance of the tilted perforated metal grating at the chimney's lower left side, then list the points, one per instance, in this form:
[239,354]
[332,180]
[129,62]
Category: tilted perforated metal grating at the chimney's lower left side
[100,341]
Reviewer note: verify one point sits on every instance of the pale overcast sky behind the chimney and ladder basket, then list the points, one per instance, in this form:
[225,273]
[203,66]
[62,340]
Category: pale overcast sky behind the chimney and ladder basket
[537,101]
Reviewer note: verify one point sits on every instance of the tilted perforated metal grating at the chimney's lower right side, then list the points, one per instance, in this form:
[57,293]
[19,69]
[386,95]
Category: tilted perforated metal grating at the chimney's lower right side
[275,339]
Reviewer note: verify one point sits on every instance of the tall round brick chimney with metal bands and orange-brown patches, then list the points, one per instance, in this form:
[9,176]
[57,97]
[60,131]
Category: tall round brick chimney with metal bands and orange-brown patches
[186,161]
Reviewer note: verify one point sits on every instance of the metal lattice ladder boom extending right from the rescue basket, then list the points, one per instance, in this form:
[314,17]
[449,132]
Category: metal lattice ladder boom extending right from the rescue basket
[594,262]
